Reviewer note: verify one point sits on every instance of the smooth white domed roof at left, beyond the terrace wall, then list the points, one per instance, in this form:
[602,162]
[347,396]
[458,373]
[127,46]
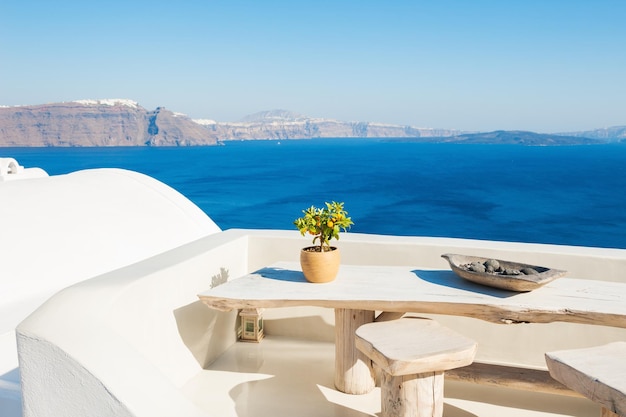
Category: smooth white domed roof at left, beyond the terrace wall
[59,230]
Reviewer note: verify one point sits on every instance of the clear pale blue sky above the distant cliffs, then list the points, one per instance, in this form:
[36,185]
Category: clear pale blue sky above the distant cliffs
[541,65]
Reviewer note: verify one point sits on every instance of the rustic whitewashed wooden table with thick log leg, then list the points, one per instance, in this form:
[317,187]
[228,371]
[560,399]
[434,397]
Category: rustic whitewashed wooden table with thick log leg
[360,290]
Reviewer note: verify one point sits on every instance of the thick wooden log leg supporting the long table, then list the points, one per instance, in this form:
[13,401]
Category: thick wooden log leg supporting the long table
[353,370]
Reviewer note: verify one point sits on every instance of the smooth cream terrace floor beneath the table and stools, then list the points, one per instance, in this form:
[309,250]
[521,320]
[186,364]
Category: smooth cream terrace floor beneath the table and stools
[287,377]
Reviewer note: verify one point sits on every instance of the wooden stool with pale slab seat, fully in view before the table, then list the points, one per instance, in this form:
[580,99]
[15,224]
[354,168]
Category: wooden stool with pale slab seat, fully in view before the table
[413,354]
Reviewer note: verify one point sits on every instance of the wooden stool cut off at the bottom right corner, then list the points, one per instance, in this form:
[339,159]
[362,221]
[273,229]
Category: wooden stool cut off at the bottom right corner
[598,373]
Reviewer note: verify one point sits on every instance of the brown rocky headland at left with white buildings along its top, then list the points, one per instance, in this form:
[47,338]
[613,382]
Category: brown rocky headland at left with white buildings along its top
[97,123]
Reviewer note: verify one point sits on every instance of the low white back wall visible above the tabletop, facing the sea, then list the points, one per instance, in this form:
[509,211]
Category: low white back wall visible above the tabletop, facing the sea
[267,246]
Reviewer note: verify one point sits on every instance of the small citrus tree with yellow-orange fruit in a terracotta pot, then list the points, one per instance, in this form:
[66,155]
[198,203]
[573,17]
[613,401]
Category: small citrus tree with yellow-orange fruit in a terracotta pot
[320,262]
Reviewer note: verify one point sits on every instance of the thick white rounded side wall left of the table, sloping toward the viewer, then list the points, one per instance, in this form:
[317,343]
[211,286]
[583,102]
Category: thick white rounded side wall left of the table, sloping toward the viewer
[126,341]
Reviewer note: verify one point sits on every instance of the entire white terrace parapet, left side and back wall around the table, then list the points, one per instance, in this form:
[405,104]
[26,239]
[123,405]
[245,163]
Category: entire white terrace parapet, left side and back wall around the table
[125,342]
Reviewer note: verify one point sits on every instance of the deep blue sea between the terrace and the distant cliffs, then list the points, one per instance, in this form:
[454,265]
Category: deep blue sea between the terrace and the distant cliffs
[571,195]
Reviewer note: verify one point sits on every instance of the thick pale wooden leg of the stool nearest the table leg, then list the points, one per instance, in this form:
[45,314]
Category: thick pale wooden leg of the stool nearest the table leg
[418,395]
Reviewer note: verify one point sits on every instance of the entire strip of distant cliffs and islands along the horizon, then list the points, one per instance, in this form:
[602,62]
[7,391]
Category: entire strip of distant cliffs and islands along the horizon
[125,123]
